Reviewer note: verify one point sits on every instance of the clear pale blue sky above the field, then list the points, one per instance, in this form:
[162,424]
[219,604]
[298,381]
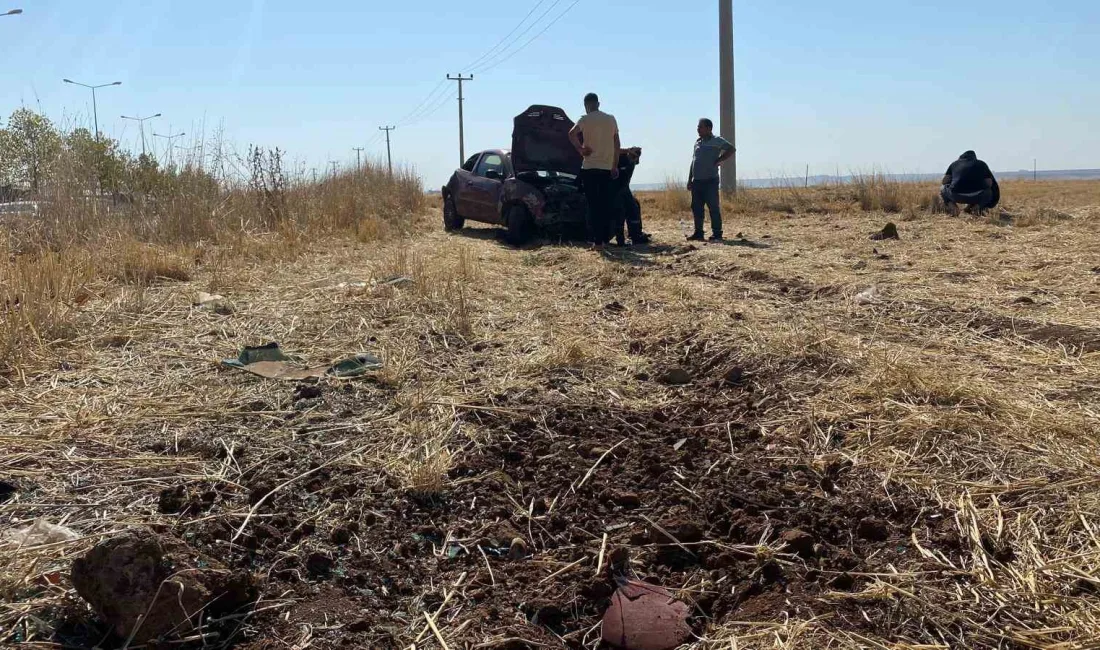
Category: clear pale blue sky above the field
[905,86]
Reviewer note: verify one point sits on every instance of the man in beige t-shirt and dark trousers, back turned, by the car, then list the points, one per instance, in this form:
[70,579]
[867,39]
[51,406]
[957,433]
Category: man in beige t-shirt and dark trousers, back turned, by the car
[596,137]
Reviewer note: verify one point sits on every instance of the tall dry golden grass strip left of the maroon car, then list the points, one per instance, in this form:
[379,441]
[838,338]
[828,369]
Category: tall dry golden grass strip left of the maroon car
[81,245]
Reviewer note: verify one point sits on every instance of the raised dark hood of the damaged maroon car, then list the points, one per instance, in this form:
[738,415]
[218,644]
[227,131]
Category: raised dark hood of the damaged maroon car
[541,142]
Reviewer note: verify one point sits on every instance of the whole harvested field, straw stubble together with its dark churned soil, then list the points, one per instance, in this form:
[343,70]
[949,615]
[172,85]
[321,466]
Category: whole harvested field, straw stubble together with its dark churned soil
[910,467]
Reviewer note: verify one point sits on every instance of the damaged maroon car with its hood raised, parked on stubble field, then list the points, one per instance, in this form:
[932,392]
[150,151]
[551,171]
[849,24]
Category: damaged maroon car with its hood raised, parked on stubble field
[534,188]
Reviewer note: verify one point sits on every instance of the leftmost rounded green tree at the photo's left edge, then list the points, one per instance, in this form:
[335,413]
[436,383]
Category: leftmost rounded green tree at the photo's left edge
[30,147]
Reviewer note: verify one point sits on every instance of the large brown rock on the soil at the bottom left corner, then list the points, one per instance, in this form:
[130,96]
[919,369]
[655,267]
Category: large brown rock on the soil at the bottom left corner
[152,587]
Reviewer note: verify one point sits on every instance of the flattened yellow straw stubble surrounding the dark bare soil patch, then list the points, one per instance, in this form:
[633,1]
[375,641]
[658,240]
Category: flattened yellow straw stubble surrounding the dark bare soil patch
[947,387]
